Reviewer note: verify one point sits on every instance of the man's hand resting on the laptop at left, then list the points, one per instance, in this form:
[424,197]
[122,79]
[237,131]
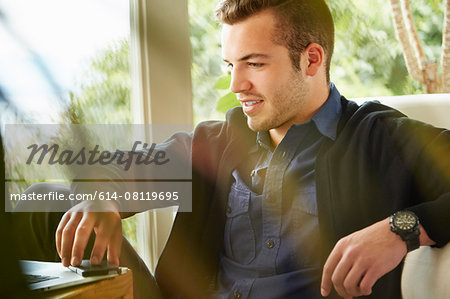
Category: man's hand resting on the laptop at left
[75,228]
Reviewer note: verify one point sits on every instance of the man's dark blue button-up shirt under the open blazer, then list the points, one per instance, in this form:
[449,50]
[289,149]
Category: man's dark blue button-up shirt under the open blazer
[272,238]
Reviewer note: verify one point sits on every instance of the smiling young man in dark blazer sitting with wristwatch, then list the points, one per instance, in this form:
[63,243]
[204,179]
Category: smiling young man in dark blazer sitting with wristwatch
[292,194]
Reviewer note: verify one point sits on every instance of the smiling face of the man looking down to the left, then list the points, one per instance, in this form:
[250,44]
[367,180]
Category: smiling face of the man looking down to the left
[271,91]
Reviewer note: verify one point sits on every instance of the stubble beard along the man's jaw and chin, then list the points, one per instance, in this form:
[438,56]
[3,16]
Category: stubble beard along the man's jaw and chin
[287,102]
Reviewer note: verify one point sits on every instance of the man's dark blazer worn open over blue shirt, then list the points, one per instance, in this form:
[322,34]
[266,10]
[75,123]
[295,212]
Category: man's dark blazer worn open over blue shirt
[380,162]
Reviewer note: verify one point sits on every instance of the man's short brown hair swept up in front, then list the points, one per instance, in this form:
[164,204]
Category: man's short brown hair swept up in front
[299,23]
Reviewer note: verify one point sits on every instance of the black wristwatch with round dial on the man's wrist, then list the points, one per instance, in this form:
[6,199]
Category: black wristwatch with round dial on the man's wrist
[406,224]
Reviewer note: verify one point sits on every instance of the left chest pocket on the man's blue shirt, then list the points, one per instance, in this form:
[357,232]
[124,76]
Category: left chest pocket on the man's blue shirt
[239,232]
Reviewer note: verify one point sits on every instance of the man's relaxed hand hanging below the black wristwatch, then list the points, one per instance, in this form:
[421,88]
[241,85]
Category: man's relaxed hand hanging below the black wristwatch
[360,259]
